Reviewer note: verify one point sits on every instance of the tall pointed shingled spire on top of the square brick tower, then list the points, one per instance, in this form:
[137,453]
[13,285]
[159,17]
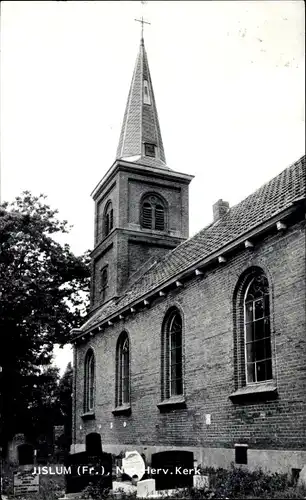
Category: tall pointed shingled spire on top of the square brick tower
[140,139]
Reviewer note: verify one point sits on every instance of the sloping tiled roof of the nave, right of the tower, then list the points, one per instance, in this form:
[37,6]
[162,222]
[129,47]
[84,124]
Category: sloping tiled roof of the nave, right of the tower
[269,200]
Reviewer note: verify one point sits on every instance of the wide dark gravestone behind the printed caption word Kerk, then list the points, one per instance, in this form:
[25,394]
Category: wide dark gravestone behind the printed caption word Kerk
[172,465]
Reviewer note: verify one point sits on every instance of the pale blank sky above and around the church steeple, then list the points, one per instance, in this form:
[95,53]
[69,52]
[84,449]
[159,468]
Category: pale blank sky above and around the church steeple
[229,83]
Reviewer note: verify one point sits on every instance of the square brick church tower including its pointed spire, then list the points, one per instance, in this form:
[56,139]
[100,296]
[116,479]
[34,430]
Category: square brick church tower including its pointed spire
[141,205]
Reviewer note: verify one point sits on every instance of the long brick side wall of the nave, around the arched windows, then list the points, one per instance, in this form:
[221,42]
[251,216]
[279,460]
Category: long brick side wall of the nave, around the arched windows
[207,308]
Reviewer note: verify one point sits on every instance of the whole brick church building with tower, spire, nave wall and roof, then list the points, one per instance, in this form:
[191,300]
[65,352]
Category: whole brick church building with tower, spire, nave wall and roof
[195,343]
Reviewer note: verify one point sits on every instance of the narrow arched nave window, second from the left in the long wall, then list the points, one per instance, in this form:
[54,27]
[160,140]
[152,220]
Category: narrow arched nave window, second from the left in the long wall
[123,370]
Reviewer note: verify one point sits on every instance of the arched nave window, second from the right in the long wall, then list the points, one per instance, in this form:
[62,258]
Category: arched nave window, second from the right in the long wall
[172,355]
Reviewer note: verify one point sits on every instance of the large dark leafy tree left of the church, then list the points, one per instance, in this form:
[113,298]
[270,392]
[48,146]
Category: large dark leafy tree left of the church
[43,295]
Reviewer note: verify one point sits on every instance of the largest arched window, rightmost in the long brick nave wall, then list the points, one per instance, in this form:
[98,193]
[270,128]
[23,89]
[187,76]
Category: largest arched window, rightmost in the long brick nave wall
[258,353]
